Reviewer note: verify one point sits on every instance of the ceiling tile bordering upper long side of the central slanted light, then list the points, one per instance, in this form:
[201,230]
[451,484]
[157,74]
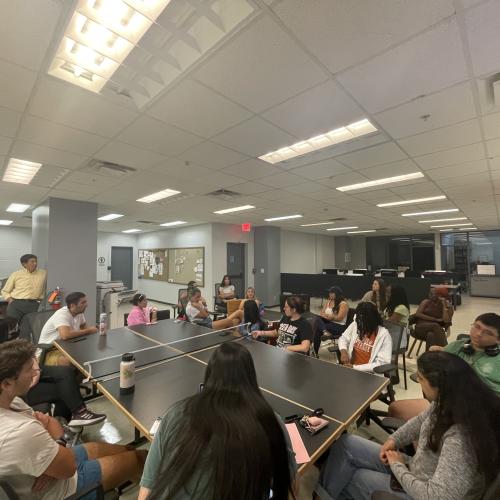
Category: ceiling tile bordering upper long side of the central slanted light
[315,111]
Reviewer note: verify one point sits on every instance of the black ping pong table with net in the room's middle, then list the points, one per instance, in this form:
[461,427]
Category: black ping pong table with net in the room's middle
[171,357]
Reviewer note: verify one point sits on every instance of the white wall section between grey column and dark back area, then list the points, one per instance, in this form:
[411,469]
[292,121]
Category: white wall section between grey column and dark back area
[306,253]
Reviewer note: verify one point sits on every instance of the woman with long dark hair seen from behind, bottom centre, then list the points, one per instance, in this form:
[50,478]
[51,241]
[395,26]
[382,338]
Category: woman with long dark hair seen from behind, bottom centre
[223,443]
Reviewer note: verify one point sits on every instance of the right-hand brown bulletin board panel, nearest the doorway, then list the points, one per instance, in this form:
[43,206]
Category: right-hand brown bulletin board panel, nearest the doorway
[185,265]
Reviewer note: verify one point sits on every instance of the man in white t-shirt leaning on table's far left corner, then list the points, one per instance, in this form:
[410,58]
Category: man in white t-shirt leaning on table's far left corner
[66,323]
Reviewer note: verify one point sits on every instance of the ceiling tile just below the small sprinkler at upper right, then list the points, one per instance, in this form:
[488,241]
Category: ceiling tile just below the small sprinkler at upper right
[441,139]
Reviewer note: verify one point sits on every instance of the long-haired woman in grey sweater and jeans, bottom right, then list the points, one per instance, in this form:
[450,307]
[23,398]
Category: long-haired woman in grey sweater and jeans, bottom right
[458,451]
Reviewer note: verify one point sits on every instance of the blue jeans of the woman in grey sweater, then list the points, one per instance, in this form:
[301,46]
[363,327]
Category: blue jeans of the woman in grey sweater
[353,470]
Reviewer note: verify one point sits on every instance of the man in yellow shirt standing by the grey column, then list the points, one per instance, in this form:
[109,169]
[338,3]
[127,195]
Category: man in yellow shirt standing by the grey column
[25,288]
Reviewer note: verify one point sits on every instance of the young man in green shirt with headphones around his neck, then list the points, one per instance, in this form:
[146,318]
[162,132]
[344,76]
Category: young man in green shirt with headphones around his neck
[481,351]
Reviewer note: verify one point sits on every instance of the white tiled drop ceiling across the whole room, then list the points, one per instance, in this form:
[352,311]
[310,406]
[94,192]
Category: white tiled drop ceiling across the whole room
[421,72]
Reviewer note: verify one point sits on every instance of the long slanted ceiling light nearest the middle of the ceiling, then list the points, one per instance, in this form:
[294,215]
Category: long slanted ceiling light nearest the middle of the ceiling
[352,131]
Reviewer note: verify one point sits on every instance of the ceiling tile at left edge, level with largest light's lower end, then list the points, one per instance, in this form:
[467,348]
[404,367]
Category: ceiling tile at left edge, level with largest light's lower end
[16,84]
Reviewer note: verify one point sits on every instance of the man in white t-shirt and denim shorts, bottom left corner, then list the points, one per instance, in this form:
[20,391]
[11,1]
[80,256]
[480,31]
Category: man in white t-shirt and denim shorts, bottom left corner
[32,461]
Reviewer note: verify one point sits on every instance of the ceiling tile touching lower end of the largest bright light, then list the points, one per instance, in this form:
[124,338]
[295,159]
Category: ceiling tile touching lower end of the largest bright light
[70,105]
